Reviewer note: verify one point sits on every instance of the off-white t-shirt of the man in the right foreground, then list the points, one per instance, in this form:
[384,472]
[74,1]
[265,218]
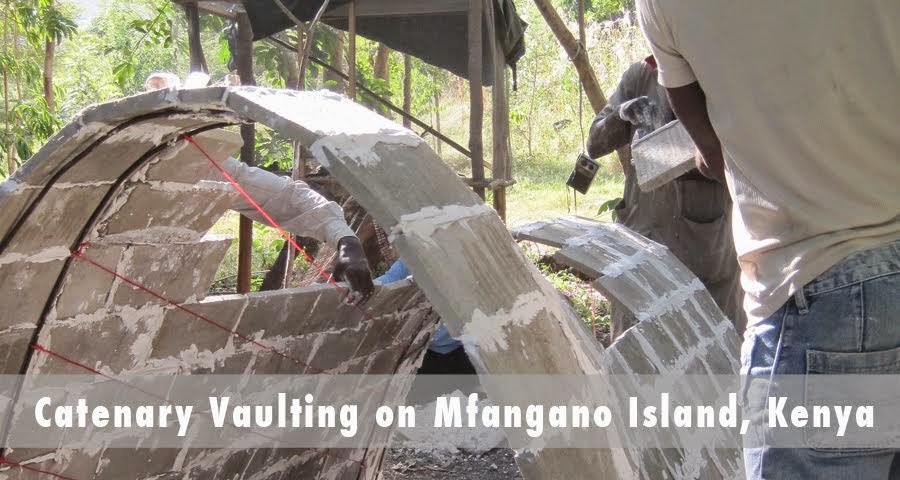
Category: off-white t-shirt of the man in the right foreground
[805,98]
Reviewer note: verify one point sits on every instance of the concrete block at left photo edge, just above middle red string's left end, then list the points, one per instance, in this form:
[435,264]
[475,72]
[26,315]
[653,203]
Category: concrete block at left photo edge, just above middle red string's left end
[24,288]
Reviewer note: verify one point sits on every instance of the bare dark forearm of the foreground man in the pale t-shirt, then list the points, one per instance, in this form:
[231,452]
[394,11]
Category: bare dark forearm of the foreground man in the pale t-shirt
[689,104]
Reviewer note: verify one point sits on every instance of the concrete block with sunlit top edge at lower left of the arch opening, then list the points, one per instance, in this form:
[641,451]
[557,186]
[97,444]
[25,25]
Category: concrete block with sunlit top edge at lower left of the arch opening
[180,329]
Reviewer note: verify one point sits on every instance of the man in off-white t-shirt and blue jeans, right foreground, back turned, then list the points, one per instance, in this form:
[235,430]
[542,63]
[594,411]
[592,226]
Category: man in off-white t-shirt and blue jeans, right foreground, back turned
[794,103]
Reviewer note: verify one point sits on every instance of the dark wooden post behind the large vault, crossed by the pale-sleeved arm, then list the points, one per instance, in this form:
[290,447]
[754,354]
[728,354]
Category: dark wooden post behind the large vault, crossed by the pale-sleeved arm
[244,60]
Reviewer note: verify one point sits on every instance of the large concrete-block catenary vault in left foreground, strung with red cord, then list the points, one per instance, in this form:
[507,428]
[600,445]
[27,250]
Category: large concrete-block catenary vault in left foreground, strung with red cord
[119,178]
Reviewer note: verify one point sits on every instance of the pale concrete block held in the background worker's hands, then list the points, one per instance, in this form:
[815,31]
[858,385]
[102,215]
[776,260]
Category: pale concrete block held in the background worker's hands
[663,155]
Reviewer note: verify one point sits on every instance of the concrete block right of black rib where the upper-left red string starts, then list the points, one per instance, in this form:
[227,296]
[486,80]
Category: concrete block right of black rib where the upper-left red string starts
[86,288]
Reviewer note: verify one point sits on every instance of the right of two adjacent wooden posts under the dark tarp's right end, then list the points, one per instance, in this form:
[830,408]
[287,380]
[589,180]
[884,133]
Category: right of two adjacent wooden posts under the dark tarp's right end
[502,161]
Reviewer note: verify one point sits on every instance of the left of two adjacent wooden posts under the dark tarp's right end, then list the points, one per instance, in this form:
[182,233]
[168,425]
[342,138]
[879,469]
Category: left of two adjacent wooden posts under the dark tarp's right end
[476,115]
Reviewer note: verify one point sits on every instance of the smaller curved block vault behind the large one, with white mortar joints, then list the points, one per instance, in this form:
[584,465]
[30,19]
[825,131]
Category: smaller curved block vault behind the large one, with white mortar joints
[680,329]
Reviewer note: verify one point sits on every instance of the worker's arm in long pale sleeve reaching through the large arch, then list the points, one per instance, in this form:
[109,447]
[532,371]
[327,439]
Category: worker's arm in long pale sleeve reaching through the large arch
[302,211]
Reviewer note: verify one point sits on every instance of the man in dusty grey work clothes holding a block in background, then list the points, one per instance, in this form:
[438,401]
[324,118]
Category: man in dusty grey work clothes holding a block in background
[690,215]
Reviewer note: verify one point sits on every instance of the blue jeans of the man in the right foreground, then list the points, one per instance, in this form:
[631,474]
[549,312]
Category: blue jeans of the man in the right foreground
[852,308]
